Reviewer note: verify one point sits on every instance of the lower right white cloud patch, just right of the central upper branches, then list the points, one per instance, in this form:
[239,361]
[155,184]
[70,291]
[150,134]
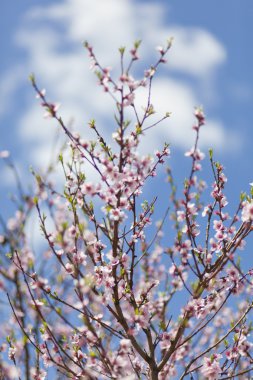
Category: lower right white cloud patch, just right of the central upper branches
[170,95]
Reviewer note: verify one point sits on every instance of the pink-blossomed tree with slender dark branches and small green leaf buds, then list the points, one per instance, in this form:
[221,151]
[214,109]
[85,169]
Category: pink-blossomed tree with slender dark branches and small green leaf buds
[110,296]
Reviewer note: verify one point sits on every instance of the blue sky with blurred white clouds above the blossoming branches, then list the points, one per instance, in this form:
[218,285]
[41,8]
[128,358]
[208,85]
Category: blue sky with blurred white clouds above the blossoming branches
[210,64]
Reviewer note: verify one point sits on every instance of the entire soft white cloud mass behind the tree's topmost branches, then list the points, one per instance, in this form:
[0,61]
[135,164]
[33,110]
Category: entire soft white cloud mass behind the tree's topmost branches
[51,36]
